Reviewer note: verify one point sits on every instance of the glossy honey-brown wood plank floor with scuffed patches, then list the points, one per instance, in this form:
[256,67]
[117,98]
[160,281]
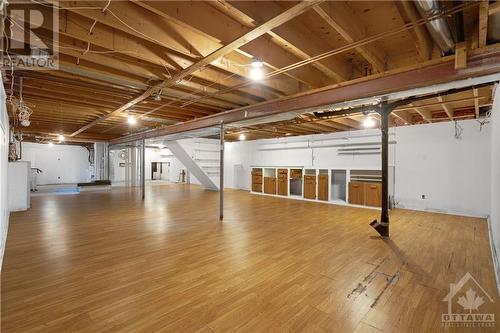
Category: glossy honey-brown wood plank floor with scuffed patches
[105,261]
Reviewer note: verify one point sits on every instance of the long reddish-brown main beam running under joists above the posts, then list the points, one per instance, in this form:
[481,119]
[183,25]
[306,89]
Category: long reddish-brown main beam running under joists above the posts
[482,62]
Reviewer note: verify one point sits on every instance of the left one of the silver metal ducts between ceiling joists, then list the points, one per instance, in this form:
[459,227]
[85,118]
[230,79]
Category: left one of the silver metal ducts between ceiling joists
[439,28]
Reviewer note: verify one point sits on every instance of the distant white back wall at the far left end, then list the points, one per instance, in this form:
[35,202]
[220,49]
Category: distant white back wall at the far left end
[61,164]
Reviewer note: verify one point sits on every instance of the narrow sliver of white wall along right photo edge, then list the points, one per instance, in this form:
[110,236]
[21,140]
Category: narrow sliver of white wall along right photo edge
[495,183]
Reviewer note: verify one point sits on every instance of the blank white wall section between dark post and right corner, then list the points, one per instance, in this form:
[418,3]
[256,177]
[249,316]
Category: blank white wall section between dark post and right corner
[453,174]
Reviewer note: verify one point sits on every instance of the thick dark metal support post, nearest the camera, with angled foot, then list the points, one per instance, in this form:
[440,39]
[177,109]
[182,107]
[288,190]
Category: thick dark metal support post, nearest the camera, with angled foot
[382,227]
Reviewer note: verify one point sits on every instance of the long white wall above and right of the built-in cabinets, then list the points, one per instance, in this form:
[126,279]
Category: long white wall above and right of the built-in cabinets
[453,174]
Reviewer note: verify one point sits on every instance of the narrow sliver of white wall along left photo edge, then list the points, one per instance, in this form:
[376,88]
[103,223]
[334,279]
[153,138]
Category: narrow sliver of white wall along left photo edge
[4,149]
